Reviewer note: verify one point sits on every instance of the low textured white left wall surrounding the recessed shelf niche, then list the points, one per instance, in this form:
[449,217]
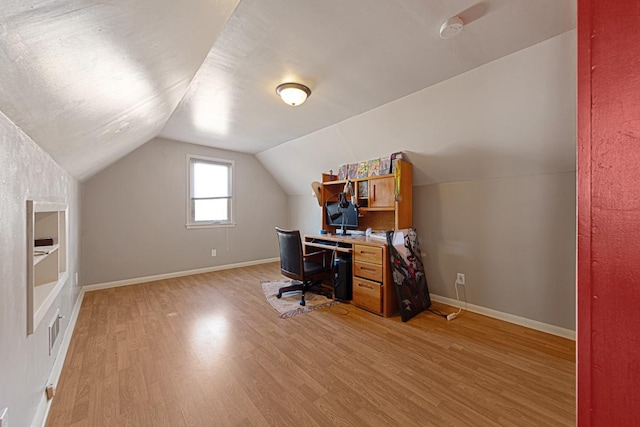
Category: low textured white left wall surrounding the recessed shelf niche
[27,172]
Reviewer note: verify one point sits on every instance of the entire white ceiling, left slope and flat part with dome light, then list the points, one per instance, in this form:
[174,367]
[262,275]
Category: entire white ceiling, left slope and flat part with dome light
[92,81]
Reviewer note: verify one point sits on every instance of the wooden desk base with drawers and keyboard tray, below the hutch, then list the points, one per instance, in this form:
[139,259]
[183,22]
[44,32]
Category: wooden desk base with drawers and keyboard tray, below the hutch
[373,287]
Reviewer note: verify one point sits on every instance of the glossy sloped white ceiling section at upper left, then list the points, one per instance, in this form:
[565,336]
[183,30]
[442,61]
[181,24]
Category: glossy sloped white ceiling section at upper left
[92,81]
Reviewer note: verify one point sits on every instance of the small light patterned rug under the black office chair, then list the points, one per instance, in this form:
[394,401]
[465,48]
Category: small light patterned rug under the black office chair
[289,304]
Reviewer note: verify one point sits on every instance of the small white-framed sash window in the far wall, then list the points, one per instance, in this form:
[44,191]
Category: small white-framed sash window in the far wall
[210,192]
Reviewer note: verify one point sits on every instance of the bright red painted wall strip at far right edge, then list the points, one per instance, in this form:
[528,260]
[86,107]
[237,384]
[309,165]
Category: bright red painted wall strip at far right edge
[609,213]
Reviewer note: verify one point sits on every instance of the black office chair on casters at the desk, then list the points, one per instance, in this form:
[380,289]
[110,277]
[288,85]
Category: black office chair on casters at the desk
[299,267]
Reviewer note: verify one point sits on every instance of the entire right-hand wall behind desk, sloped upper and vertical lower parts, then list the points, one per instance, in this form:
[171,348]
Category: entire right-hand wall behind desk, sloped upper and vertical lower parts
[494,177]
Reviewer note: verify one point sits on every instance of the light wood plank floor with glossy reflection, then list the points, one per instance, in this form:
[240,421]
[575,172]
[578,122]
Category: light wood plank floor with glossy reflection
[208,350]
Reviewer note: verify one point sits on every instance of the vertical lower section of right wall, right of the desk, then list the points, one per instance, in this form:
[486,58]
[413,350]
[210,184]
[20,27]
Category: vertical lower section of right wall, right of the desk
[513,238]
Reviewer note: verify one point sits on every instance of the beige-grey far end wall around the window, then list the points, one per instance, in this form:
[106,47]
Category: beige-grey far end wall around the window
[134,215]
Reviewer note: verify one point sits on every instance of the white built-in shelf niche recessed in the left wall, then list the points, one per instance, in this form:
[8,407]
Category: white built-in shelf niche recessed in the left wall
[47,269]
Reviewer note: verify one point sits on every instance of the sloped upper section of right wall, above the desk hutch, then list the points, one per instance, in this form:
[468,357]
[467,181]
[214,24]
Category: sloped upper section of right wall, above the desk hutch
[513,116]
